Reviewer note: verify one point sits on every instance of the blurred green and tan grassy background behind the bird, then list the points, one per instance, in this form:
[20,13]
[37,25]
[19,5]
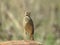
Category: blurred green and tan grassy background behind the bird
[44,13]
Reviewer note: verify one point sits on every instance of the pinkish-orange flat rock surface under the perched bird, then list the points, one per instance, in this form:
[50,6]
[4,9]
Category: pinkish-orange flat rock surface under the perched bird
[22,42]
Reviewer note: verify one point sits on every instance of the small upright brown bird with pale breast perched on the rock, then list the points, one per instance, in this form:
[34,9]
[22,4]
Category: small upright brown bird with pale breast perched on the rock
[28,26]
